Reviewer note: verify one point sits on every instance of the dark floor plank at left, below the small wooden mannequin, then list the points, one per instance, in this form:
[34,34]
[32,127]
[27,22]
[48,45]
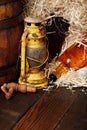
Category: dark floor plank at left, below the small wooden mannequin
[12,110]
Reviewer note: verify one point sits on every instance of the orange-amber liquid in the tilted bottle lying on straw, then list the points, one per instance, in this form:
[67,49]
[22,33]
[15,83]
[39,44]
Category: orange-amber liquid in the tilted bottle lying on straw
[74,57]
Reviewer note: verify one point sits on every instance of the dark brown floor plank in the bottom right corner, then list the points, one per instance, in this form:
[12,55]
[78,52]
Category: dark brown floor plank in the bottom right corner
[76,117]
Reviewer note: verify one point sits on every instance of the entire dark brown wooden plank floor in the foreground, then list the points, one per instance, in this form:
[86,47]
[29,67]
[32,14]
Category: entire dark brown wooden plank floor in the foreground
[59,109]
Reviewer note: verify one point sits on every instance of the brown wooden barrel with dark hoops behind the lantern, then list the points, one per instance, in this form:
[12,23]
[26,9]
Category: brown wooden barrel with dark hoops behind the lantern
[11,29]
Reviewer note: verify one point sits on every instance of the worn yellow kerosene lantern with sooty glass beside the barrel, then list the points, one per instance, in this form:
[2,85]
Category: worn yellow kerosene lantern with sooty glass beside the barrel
[34,53]
